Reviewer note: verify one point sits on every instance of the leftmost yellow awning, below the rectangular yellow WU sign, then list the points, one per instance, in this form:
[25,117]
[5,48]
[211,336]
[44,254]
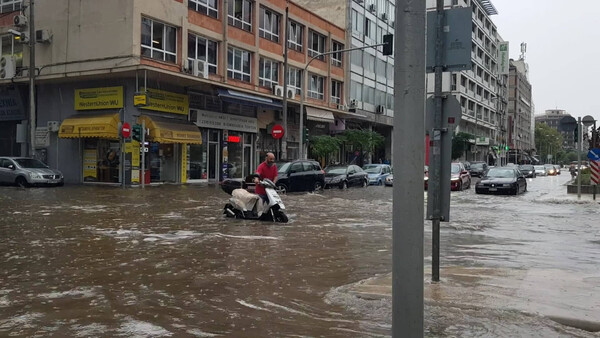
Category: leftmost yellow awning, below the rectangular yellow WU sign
[91,125]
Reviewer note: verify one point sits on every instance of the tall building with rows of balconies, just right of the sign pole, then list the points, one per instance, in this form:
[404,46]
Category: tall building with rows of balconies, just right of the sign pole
[479,90]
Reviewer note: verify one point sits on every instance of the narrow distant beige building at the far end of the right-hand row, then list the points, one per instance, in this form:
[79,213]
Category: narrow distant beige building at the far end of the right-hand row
[520,112]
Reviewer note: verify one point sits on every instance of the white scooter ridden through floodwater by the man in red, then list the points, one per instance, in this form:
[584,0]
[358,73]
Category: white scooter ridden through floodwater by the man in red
[246,205]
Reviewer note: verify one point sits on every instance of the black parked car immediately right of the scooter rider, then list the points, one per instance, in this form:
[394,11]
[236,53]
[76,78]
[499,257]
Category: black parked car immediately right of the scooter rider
[300,175]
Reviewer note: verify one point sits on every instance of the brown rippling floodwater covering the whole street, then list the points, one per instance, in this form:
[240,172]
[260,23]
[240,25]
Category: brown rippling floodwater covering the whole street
[93,261]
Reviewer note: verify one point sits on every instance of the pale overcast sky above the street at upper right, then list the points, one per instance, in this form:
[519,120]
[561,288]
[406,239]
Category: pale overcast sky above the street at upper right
[563,50]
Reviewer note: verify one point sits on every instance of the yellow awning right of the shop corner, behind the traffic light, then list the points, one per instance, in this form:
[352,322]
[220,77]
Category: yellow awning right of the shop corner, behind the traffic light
[172,132]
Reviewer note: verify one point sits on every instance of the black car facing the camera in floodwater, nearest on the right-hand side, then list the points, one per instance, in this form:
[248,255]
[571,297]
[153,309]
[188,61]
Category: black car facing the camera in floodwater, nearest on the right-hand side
[502,180]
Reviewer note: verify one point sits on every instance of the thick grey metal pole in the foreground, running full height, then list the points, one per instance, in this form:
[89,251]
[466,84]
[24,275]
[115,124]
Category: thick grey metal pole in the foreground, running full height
[409,159]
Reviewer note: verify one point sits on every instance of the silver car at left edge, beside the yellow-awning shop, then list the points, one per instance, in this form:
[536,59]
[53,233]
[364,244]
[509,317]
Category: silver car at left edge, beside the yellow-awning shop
[26,172]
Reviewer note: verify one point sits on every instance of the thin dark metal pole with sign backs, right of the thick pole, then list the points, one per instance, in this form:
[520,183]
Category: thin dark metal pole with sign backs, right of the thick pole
[437,144]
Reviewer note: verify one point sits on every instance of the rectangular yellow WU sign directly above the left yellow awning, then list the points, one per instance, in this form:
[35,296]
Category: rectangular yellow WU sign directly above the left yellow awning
[99,98]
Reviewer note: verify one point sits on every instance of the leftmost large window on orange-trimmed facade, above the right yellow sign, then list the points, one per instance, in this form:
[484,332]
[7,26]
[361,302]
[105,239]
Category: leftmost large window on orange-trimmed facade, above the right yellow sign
[159,41]
